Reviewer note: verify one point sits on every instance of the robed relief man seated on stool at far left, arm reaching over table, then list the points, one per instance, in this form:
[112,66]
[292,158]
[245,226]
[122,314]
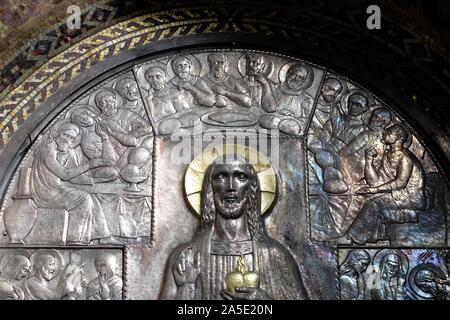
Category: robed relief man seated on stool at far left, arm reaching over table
[57,161]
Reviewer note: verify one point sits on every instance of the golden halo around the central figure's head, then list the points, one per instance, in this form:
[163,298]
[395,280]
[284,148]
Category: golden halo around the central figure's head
[193,179]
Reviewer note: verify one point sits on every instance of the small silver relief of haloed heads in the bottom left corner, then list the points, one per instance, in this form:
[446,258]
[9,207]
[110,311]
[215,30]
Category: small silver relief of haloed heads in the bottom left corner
[44,275]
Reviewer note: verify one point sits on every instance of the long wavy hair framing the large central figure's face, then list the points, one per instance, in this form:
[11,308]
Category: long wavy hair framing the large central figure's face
[253,206]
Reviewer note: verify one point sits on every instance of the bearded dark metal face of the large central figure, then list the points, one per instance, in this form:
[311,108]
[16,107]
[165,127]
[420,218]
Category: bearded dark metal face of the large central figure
[231,185]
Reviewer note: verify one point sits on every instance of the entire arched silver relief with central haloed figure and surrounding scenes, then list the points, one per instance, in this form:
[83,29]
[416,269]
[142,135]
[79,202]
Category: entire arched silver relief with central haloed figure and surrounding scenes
[344,184]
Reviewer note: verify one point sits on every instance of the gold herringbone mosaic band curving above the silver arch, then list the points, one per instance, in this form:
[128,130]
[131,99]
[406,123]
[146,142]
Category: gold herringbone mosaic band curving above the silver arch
[52,75]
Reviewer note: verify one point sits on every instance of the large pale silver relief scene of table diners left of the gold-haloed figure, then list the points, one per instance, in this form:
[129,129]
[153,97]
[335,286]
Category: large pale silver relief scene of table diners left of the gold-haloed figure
[88,165]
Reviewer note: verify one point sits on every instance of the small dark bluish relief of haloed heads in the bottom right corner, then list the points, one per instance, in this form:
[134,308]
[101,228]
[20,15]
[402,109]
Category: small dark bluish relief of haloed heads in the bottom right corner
[395,274]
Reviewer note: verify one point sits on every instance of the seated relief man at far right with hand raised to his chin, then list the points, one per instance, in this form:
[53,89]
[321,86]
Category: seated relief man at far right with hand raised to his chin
[398,183]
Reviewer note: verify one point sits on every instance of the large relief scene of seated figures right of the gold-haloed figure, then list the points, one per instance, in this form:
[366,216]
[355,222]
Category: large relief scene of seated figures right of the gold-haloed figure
[367,179]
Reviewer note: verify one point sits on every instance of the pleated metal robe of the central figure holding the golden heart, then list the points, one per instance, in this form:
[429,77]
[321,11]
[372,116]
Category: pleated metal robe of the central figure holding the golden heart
[278,271]
